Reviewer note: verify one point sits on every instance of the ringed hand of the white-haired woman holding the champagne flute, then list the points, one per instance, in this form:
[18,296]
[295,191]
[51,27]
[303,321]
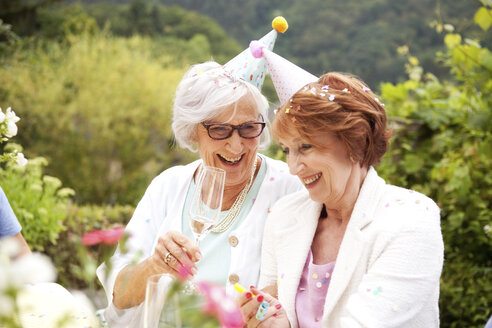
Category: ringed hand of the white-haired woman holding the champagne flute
[173,252]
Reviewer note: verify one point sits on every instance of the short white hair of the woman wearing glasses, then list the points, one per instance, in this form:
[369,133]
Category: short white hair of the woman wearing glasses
[203,92]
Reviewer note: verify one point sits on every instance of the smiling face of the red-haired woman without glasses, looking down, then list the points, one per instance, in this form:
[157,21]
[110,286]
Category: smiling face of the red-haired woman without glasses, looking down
[327,173]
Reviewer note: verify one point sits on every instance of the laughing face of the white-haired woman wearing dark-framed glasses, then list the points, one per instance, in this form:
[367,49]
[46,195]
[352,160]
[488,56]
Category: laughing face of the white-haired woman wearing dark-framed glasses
[235,155]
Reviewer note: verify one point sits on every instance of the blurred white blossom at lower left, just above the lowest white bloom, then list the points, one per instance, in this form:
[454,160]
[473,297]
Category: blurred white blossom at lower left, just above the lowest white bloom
[32,268]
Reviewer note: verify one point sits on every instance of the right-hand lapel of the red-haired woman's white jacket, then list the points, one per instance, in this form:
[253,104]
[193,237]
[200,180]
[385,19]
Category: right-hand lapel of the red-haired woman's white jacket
[353,243]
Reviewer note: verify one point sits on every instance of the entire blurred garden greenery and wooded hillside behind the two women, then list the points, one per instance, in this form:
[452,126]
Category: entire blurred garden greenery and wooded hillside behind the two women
[93,83]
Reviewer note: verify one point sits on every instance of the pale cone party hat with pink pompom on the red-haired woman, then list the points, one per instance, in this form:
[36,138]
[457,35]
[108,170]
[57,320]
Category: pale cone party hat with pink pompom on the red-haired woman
[287,77]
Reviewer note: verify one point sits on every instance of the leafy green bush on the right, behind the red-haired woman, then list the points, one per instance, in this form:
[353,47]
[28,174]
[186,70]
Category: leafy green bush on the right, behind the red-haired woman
[443,148]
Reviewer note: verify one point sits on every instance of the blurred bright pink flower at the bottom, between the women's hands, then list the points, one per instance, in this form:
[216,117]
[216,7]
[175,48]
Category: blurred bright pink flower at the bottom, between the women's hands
[218,303]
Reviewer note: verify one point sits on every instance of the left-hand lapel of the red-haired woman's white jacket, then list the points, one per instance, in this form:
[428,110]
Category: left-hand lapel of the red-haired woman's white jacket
[293,242]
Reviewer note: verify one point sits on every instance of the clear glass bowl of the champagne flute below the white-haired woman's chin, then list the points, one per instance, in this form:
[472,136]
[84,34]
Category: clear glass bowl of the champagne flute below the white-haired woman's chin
[206,203]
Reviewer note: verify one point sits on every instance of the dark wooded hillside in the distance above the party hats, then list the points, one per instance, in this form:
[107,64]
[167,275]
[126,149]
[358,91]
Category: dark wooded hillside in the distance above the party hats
[354,36]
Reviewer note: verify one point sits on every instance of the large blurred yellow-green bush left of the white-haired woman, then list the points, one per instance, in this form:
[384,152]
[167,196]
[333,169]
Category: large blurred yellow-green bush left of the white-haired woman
[99,110]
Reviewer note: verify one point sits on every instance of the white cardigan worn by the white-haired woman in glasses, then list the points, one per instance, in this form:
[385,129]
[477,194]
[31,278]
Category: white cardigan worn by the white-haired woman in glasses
[160,210]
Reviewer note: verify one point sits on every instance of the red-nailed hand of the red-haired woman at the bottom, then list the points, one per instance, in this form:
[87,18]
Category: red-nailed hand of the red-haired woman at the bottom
[274,317]
